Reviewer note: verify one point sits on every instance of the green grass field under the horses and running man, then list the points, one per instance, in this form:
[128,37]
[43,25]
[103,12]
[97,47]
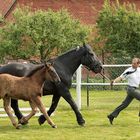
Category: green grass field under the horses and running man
[126,126]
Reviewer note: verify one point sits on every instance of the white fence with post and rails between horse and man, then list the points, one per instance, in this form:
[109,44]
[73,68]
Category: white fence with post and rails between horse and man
[79,83]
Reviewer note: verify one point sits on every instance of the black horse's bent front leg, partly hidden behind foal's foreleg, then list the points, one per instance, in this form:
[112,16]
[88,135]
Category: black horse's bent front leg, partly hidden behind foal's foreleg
[54,104]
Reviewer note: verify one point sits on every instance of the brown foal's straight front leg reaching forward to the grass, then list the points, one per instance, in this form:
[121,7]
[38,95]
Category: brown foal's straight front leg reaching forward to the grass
[42,108]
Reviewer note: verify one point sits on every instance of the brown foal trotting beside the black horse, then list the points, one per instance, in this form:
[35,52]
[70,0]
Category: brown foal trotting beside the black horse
[27,88]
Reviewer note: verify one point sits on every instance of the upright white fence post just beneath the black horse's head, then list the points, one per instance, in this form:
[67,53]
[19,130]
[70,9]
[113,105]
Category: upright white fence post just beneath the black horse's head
[78,87]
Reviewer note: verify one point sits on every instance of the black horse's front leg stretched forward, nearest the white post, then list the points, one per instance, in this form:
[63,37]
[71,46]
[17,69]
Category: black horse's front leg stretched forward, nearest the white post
[64,92]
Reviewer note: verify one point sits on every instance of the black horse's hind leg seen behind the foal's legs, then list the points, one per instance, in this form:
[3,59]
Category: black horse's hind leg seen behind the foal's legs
[14,105]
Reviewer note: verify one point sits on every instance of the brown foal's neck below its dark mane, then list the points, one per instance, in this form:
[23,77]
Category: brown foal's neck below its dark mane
[39,76]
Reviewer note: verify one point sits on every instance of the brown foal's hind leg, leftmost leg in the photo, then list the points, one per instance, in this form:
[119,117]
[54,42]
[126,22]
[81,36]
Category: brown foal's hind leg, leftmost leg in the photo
[7,107]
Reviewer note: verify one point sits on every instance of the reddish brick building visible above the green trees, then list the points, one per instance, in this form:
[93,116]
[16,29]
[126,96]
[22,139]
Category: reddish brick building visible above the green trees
[85,10]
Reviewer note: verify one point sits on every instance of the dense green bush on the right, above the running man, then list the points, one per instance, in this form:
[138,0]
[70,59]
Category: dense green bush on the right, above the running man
[119,25]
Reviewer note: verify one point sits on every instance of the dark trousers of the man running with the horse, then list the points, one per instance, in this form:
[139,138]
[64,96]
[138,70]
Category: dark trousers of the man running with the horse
[132,93]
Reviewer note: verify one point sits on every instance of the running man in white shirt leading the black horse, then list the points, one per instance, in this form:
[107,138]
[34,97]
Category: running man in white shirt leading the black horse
[132,75]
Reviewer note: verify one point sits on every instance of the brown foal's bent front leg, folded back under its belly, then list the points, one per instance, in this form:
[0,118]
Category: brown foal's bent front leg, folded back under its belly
[33,112]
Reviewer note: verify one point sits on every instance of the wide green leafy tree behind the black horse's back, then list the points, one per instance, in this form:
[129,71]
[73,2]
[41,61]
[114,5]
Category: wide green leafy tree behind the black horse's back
[40,32]
